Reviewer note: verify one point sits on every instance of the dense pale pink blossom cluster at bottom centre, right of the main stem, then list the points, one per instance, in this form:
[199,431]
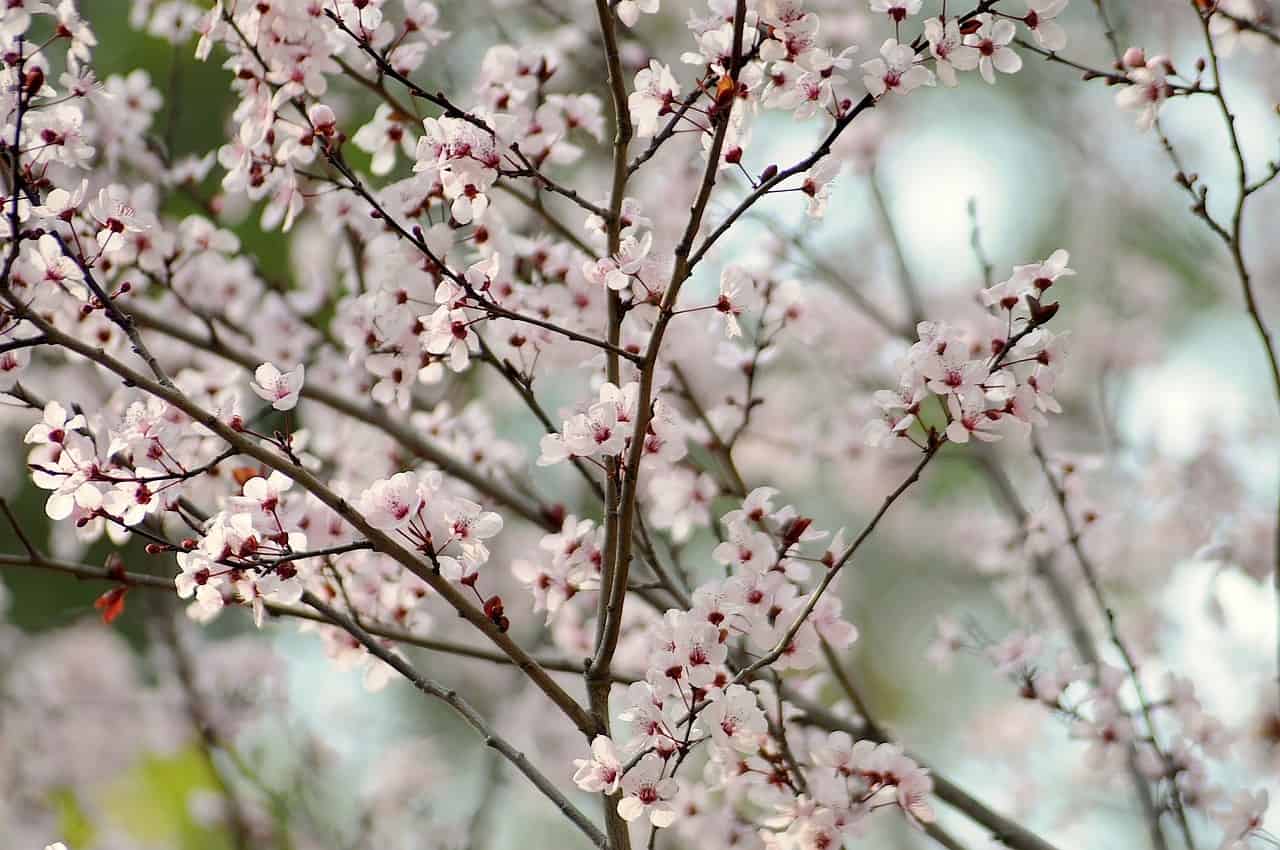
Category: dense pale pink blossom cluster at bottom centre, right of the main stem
[693,697]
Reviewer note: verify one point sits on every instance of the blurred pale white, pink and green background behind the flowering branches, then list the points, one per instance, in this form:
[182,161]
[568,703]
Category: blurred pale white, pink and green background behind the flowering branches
[1168,389]
